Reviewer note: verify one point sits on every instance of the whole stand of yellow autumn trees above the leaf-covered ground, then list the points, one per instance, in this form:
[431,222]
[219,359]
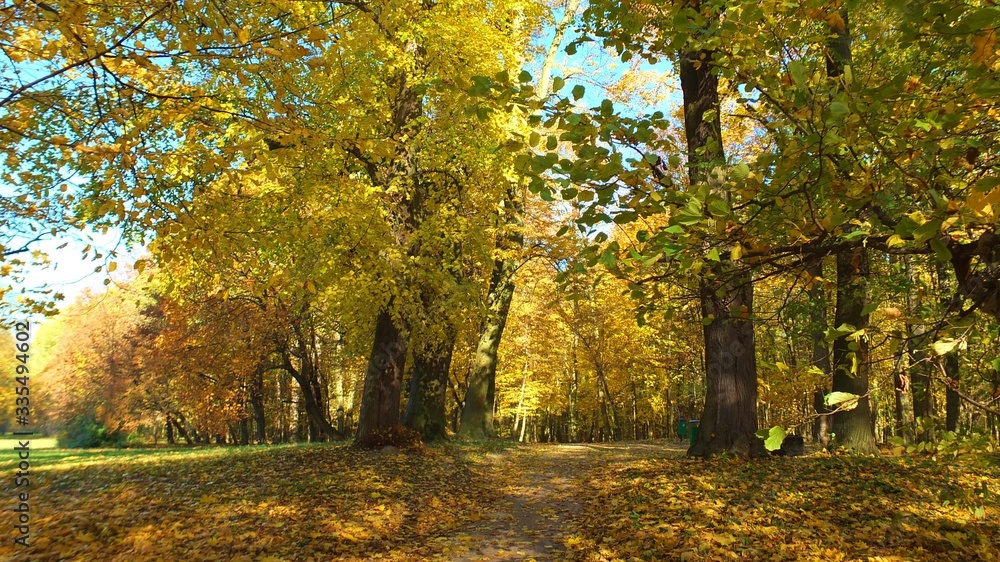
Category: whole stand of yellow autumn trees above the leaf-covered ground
[365,216]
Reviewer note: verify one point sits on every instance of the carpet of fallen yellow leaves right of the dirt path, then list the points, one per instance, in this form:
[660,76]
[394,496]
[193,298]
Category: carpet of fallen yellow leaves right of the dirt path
[821,507]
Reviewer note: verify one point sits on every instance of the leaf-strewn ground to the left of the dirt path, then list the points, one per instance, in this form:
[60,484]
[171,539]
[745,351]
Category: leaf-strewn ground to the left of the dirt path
[267,504]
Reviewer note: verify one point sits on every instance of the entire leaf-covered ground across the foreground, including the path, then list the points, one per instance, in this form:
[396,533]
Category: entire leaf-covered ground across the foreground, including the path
[497,501]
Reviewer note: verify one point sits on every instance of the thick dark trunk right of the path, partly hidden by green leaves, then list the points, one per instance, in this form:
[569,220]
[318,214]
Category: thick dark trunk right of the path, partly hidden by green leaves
[729,419]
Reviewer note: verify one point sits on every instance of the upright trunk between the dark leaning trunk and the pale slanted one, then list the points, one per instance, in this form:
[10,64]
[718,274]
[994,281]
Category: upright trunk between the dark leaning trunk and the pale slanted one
[425,411]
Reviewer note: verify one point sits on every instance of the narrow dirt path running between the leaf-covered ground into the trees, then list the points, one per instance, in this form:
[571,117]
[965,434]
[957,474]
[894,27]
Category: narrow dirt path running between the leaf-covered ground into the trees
[544,490]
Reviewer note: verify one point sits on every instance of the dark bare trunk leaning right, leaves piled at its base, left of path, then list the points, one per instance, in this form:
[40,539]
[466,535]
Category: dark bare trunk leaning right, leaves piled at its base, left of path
[383,380]
